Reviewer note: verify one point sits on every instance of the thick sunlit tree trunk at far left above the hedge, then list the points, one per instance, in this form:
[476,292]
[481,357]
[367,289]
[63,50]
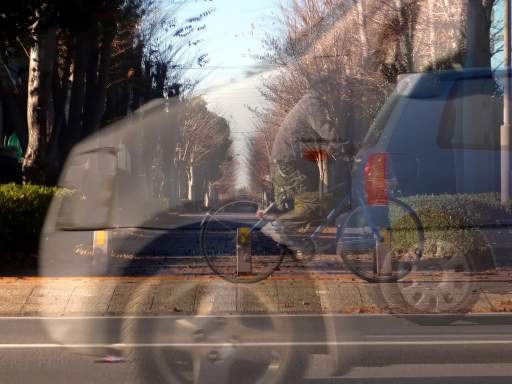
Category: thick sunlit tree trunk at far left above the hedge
[42,59]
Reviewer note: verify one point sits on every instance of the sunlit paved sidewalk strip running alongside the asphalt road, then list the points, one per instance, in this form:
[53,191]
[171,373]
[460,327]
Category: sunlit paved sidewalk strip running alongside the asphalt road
[164,296]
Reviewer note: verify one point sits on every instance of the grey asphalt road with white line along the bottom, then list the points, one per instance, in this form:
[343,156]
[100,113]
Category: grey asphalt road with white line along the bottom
[366,348]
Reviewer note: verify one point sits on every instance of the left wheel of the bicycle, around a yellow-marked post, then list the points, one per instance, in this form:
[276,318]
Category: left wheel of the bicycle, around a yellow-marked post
[220,244]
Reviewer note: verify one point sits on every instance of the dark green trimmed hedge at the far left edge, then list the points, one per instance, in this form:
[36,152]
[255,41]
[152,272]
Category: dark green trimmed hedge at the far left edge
[22,213]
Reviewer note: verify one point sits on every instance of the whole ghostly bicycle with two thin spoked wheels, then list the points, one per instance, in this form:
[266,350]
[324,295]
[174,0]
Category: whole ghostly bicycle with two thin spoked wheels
[378,243]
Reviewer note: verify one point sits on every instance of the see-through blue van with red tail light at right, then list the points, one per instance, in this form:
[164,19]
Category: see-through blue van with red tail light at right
[435,145]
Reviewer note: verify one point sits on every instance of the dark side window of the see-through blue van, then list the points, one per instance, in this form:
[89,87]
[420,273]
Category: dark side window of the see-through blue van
[472,116]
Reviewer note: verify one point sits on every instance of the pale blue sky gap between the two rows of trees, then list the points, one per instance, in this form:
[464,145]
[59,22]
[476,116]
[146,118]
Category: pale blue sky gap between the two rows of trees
[230,82]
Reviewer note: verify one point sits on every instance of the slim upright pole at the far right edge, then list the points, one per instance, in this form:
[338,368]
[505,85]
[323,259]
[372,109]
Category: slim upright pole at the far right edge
[505,128]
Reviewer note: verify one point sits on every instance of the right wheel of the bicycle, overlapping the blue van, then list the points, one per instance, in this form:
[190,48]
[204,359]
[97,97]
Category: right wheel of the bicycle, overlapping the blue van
[381,243]
